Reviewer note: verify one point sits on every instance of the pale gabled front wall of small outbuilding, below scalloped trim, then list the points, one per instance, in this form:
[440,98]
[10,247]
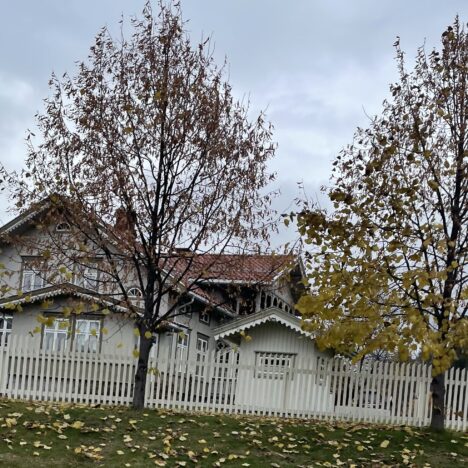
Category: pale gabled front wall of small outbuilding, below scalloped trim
[286,391]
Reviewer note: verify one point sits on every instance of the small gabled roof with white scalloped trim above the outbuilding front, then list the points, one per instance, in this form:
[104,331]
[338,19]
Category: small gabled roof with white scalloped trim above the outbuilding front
[247,322]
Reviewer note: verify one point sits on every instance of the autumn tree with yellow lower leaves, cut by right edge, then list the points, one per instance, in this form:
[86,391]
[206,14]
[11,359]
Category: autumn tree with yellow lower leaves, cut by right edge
[389,264]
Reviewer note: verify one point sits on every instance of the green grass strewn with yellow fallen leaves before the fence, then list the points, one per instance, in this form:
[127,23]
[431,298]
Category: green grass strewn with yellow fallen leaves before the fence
[33,434]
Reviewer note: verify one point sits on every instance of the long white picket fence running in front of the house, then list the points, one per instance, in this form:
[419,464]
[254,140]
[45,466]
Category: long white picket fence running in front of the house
[389,393]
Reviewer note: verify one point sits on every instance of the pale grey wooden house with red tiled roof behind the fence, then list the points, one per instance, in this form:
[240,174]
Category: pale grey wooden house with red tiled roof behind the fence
[242,296]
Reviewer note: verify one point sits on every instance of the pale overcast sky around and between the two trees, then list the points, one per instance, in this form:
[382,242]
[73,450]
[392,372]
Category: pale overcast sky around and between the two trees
[317,66]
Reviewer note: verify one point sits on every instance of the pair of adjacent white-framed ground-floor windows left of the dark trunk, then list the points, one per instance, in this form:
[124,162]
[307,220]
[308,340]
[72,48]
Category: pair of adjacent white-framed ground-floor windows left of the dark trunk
[80,333]
